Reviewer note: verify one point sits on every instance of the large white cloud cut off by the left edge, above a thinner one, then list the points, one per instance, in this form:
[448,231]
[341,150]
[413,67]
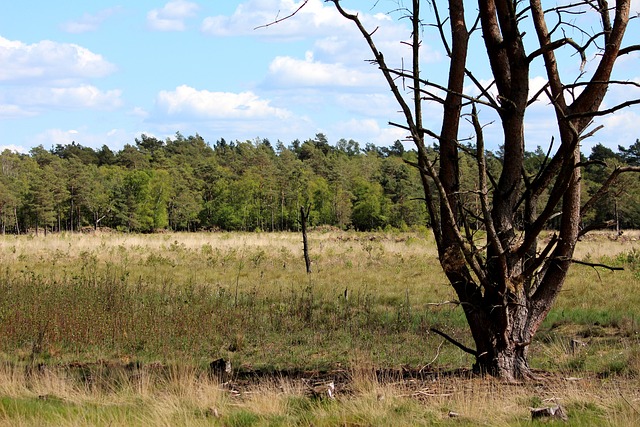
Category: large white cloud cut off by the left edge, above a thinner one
[49,61]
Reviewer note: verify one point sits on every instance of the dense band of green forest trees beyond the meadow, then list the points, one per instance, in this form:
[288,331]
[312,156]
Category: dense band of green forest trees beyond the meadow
[185,184]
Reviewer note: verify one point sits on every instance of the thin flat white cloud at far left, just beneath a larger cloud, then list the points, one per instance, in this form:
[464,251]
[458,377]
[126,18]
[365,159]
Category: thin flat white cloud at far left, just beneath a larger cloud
[80,97]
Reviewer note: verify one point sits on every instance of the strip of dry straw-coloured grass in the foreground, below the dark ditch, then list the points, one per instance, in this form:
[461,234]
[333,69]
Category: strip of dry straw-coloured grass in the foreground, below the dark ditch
[189,397]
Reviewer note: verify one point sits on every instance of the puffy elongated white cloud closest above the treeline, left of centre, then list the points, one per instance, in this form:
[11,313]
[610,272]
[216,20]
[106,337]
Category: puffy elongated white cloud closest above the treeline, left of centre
[186,101]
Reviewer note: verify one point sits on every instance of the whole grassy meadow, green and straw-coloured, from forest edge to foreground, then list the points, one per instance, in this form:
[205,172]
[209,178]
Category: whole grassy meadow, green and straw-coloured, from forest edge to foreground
[121,329]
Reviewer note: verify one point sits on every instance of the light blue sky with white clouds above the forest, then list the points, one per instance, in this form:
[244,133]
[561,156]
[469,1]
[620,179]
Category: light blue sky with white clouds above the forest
[104,72]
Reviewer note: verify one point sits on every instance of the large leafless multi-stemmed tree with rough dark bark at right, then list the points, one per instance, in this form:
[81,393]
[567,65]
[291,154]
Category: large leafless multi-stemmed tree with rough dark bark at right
[506,283]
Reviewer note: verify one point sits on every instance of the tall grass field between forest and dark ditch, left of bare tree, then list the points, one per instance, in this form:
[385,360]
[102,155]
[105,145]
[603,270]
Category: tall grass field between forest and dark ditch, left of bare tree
[221,295]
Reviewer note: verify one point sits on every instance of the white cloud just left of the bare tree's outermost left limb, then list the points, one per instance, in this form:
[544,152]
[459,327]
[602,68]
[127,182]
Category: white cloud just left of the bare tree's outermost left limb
[286,72]
